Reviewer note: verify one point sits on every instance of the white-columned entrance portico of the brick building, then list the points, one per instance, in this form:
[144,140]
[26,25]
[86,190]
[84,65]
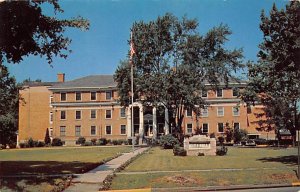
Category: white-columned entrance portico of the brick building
[148,122]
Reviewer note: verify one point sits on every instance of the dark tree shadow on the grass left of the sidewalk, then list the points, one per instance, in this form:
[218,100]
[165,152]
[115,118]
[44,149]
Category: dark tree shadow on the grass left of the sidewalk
[32,175]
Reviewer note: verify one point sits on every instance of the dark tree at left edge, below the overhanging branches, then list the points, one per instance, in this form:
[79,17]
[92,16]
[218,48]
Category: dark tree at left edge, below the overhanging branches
[9,103]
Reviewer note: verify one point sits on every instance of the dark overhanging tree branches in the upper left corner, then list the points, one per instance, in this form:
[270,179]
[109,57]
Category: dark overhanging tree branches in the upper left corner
[26,30]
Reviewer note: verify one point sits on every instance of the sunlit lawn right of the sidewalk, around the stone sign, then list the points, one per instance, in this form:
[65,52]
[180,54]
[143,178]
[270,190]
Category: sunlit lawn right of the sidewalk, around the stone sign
[279,167]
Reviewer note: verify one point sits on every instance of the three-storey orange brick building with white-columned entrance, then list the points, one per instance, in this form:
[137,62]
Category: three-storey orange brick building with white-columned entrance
[88,107]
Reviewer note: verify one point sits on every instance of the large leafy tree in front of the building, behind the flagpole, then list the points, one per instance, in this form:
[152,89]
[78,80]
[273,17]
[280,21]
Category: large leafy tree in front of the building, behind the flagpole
[172,62]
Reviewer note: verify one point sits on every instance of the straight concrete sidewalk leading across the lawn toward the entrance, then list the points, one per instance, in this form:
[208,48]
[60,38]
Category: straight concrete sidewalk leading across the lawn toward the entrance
[93,180]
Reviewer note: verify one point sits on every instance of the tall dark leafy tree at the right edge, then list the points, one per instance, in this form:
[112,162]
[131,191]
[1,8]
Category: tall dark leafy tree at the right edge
[275,80]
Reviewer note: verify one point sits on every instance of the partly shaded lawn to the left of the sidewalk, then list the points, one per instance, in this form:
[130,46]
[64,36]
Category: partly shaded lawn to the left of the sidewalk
[49,161]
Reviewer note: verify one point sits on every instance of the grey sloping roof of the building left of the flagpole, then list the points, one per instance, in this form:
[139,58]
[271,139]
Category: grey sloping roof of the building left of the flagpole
[92,81]
